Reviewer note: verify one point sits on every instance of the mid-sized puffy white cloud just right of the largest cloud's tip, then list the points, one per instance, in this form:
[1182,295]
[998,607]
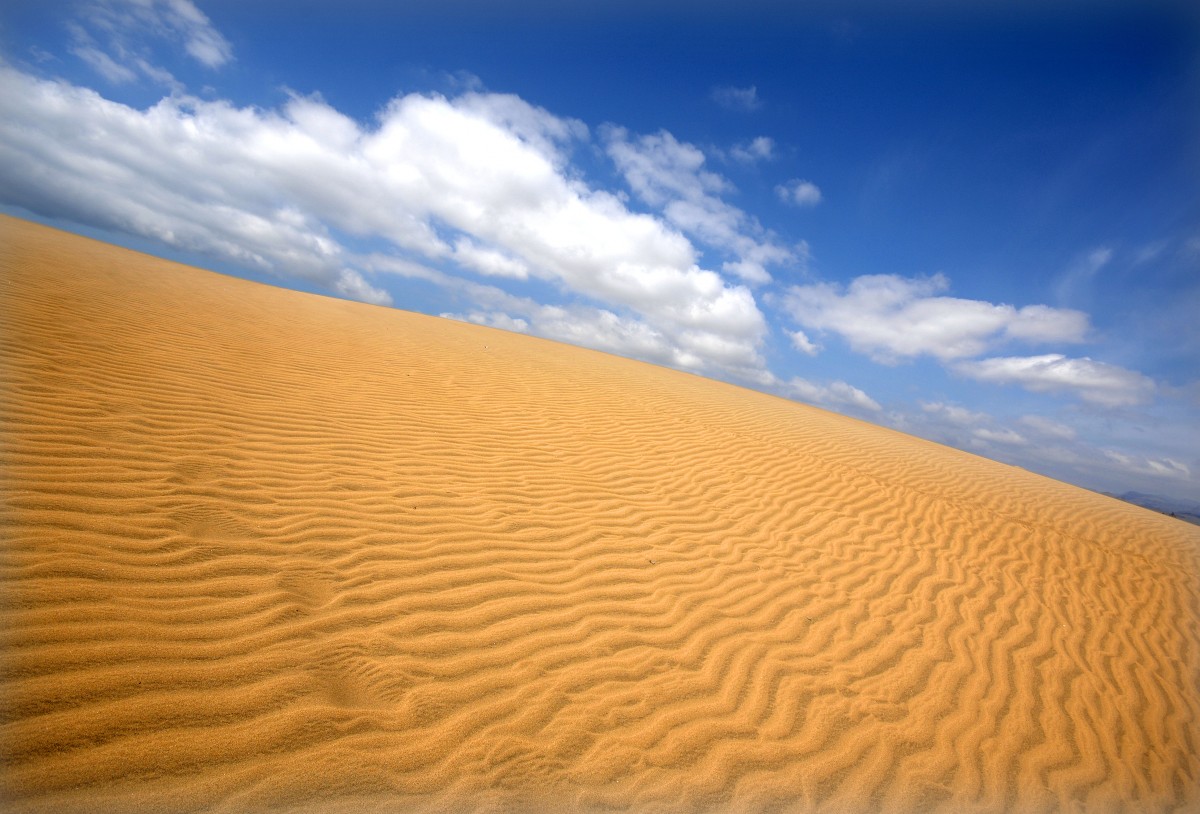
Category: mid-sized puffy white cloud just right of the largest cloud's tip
[892,319]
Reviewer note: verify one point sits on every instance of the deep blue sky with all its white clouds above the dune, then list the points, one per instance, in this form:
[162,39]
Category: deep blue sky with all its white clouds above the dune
[979,228]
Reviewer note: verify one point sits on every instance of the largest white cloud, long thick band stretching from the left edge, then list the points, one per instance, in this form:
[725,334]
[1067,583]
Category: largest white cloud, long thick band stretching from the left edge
[483,181]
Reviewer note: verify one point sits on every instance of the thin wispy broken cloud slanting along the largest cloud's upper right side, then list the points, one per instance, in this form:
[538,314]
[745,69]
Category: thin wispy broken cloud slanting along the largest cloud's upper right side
[670,176]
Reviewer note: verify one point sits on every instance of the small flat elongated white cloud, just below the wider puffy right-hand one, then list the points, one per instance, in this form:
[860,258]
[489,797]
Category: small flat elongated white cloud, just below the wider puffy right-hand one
[1096,382]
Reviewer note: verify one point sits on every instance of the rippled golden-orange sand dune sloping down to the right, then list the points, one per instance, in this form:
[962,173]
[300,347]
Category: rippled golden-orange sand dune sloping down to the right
[266,550]
